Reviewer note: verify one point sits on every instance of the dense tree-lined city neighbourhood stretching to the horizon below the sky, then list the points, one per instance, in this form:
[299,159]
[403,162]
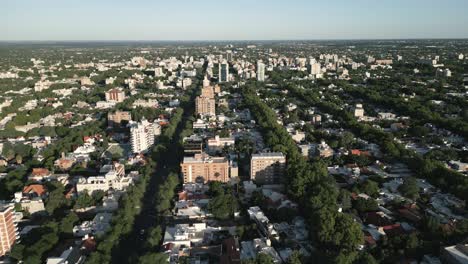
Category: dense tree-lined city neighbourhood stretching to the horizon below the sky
[234,152]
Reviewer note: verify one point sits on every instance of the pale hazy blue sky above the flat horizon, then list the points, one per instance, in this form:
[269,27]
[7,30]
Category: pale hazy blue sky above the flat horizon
[231,20]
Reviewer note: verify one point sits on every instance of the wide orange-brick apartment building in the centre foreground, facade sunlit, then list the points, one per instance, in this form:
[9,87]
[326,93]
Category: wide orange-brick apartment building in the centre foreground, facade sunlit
[204,168]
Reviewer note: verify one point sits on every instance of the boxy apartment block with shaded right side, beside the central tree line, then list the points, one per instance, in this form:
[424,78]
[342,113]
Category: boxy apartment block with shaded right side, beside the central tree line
[267,168]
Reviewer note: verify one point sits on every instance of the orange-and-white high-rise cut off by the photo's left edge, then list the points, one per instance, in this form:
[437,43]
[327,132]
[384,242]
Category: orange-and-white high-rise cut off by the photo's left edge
[7,229]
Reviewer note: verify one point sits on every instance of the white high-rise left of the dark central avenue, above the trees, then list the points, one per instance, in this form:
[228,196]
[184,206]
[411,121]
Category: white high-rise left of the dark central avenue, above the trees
[142,135]
